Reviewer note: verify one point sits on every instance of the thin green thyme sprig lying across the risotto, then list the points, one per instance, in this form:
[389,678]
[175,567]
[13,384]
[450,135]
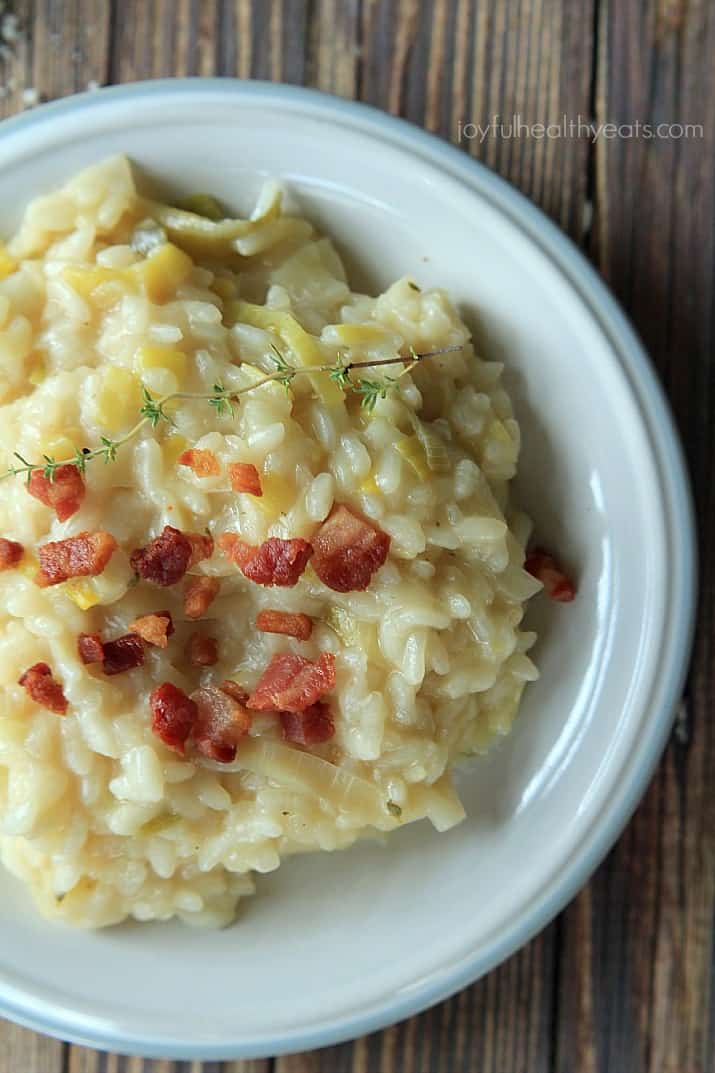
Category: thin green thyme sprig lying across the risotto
[154,410]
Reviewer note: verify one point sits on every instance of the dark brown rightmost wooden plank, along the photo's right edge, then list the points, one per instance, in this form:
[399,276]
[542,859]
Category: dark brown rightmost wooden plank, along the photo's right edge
[637,990]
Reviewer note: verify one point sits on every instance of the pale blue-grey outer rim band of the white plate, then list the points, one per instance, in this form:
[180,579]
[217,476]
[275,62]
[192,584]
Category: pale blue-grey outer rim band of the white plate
[679,522]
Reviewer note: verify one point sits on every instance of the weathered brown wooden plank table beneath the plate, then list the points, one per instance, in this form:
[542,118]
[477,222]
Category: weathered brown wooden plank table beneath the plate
[623,981]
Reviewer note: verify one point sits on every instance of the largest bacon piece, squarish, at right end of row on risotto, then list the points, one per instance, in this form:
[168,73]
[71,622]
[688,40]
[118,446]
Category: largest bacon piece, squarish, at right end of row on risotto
[348,551]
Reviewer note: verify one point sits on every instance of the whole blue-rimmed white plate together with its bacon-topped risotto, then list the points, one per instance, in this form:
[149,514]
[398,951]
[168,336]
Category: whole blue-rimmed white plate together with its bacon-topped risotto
[340,511]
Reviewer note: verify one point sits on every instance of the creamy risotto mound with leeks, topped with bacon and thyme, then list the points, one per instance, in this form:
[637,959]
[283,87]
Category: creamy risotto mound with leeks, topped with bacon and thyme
[241,618]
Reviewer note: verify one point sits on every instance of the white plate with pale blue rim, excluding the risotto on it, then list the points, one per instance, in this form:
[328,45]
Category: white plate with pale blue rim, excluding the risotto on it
[337,946]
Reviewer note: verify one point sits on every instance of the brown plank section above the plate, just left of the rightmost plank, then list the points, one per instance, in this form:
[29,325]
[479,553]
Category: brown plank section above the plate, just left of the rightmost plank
[450,64]
